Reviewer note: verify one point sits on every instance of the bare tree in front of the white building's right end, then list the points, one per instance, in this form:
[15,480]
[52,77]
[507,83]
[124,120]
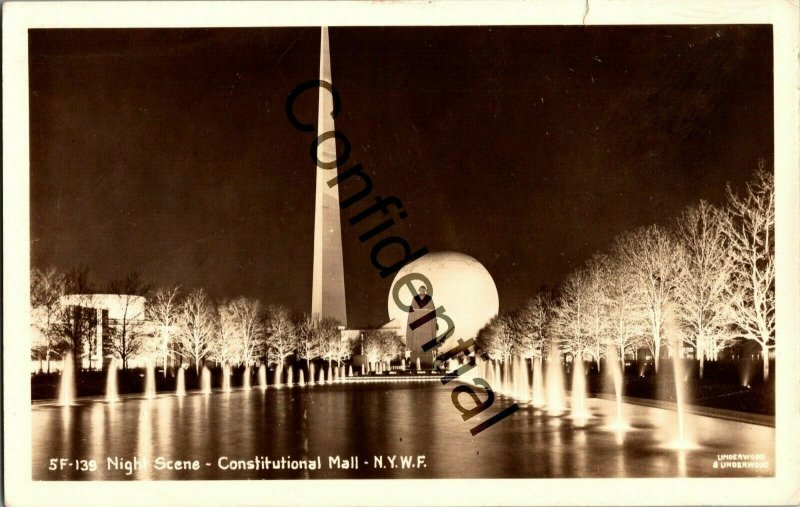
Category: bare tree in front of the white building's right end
[128,329]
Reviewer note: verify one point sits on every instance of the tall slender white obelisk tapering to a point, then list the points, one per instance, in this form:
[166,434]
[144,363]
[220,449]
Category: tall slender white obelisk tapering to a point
[327,294]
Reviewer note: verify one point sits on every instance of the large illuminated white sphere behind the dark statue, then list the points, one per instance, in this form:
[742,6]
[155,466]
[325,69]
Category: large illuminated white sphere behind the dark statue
[458,283]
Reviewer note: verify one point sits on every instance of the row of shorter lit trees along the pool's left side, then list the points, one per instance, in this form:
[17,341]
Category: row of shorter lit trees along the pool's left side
[173,326]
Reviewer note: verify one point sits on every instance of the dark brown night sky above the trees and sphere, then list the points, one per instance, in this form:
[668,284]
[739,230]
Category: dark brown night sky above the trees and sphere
[169,152]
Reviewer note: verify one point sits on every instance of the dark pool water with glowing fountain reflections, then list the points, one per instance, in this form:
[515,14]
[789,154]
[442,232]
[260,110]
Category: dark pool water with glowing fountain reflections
[366,420]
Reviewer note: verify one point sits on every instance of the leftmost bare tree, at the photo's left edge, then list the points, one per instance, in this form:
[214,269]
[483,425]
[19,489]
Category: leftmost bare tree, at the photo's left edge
[47,287]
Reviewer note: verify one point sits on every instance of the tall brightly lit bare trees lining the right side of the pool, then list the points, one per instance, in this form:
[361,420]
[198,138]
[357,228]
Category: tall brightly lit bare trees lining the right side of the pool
[706,280]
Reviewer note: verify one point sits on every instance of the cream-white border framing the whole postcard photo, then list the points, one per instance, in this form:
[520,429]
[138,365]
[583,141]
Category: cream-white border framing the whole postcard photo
[20,490]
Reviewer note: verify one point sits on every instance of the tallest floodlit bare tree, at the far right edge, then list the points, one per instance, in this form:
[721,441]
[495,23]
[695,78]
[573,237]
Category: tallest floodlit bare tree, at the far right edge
[750,229]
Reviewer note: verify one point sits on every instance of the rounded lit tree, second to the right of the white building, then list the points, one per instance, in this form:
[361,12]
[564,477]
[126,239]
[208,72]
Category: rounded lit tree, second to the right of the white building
[196,327]
